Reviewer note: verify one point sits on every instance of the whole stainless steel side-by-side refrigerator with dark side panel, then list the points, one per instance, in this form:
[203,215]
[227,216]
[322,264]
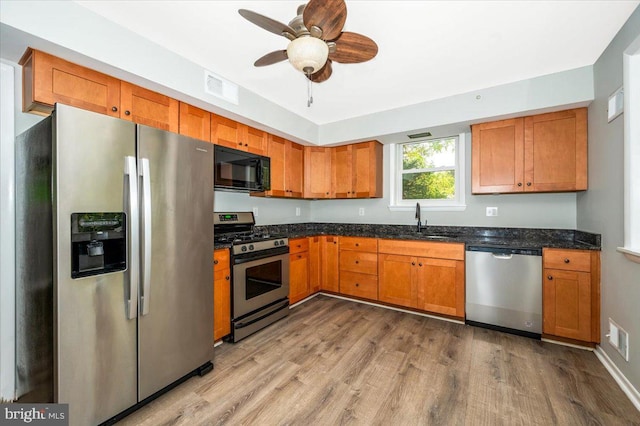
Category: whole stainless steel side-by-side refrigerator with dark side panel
[114,257]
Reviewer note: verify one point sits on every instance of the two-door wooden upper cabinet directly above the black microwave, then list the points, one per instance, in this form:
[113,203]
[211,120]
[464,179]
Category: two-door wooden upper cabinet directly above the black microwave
[230,133]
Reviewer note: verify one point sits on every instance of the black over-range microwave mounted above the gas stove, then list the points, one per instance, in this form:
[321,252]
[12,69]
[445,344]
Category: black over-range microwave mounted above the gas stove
[241,171]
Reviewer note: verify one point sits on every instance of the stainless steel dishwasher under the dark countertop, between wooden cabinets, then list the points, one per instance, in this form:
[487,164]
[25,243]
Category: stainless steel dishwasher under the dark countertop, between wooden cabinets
[504,289]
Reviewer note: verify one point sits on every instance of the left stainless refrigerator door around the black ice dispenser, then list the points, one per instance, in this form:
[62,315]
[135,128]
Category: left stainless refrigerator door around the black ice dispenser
[95,341]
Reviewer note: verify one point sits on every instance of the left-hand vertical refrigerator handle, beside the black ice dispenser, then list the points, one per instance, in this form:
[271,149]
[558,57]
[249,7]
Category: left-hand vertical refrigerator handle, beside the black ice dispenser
[133,224]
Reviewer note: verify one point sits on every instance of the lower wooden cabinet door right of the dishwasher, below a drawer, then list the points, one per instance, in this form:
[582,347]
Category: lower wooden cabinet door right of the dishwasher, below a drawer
[567,304]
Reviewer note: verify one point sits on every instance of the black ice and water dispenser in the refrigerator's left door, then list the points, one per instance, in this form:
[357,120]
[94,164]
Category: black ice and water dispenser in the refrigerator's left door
[98,243]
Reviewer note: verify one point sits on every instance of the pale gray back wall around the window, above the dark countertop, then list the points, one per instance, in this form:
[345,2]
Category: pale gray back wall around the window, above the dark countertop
[514,210]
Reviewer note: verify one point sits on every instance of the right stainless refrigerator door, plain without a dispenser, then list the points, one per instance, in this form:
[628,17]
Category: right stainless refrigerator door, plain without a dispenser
[176,287]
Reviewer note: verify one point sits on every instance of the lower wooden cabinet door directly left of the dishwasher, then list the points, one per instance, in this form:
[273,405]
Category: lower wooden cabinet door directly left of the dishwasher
[441,286]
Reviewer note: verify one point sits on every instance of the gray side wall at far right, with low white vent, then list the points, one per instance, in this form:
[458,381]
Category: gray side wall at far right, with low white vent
[601,208]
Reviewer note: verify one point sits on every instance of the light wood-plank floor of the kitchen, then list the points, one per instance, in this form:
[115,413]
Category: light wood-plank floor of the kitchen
[334,361]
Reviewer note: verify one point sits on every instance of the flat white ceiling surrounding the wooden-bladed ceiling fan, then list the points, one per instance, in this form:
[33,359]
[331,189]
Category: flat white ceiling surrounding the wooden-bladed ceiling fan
[427,49]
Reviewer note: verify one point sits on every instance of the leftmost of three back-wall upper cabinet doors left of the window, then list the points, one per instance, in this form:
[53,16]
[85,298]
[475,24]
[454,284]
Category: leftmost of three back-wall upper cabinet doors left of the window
[317,172]
